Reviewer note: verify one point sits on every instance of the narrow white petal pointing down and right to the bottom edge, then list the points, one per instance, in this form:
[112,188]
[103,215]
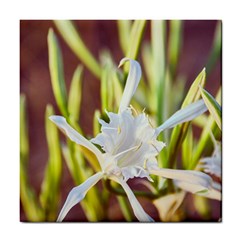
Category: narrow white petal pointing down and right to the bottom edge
[141,215]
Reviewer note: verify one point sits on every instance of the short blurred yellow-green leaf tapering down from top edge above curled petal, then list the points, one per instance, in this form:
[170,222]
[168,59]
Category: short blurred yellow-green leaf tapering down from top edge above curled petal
[124,29]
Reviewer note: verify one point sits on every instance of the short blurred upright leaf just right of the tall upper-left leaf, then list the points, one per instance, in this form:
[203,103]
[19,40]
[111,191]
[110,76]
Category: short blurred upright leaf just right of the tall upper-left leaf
[75,94]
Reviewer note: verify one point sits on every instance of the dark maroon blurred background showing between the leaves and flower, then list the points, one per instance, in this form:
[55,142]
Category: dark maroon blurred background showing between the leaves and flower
[196,47]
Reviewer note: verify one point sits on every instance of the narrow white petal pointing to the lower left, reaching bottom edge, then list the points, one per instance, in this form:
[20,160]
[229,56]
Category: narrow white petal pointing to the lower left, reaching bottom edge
[78,193]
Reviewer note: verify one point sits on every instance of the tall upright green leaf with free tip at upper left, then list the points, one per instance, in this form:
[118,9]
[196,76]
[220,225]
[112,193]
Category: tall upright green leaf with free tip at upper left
[57,72]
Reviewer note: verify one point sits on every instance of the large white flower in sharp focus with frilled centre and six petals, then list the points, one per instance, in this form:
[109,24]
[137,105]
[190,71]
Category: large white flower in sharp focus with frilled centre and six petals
[130,148]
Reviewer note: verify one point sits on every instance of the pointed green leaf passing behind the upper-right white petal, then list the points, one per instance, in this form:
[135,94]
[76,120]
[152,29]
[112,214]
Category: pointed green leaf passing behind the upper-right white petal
[179,132]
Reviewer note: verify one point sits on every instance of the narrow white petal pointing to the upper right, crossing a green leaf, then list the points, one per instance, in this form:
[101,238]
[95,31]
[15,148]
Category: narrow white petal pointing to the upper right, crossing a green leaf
[186,114]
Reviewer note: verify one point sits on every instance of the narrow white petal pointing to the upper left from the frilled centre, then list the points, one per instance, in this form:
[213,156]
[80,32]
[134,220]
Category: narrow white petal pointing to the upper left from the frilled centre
[76,137]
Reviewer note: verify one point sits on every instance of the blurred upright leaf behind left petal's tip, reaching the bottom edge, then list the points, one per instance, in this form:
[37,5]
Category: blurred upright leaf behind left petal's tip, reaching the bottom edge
[50,193]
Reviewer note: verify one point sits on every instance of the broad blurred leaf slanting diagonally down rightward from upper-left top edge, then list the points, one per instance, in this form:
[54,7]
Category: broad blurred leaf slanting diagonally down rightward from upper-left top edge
[75,42]
